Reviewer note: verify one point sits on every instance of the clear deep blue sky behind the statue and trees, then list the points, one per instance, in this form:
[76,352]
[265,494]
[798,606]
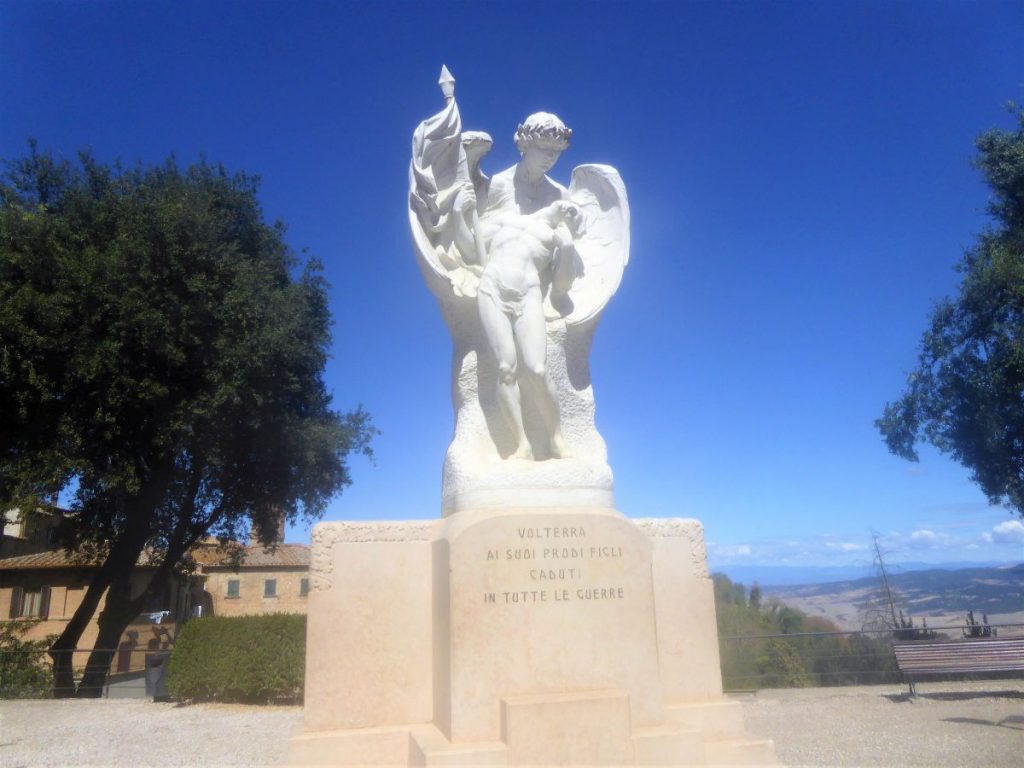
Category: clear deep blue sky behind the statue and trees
[801,189]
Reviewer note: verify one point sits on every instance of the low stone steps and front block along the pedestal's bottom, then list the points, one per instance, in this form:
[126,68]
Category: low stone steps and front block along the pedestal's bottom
[584,729]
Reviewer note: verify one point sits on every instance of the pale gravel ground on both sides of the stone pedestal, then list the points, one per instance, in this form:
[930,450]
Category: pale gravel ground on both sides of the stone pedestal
[950,726]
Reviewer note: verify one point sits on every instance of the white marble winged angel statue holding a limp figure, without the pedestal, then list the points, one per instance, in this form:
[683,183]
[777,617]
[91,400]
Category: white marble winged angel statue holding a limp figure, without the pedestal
[523,268]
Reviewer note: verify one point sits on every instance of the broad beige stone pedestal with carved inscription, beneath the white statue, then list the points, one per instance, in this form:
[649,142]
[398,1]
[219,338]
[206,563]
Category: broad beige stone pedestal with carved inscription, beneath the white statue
[517,637]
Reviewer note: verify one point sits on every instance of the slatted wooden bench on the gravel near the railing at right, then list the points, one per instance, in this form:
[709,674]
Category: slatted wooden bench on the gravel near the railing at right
[928,659]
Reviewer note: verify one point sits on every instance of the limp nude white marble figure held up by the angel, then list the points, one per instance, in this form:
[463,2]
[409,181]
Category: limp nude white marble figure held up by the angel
[527,253]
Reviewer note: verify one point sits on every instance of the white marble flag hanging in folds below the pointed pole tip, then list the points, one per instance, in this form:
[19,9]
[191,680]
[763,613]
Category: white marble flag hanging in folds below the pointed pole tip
[437,174]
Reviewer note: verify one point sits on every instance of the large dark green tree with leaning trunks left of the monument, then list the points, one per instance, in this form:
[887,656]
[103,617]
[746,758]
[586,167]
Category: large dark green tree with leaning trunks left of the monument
[161,358]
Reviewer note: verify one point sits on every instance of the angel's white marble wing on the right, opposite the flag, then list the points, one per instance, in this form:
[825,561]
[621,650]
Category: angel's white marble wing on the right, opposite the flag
[605,246]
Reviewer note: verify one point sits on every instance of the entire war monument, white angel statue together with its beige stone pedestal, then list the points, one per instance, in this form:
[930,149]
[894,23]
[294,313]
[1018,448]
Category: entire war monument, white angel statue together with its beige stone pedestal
[533,624]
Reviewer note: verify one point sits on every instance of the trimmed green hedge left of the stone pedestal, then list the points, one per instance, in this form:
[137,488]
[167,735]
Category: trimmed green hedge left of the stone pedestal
[249,660]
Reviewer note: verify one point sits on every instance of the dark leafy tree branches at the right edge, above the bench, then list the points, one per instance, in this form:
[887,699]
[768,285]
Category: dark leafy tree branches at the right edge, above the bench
[967,395]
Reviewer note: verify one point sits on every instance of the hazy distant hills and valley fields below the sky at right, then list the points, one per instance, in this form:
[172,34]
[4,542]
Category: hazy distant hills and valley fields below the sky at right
[941,594]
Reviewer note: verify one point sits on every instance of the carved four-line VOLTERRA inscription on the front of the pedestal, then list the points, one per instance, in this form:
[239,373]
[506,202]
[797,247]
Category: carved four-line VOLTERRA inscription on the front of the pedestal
[556,565]
